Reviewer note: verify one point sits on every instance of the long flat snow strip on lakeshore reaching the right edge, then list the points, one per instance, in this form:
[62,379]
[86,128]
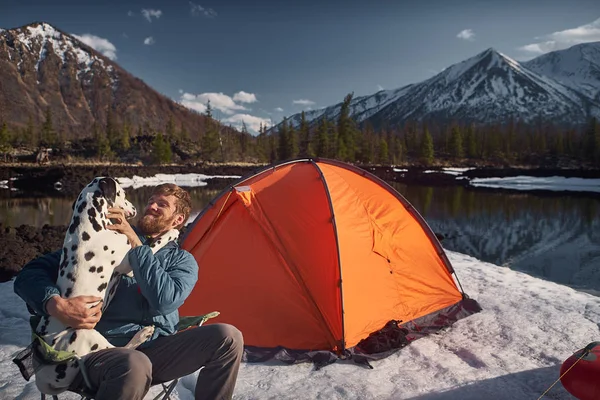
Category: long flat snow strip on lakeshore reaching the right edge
[554,183]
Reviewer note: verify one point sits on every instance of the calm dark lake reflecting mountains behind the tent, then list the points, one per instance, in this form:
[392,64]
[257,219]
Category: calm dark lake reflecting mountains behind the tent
[553,236]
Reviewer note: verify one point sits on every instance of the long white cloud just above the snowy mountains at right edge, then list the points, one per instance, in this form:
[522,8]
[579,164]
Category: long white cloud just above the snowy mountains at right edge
[563,39]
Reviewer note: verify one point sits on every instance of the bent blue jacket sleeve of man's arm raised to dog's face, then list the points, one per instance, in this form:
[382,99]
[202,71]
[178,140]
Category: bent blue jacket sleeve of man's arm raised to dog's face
[165,287]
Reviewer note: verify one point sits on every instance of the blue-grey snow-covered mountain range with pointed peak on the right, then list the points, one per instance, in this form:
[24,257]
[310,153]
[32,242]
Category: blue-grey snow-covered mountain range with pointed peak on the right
[488,88]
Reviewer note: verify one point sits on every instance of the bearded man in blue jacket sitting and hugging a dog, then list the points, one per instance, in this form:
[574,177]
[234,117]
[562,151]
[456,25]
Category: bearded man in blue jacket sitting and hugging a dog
[161,283]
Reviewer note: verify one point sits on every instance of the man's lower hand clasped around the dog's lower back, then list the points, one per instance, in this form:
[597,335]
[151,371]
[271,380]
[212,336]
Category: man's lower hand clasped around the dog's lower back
[77,312]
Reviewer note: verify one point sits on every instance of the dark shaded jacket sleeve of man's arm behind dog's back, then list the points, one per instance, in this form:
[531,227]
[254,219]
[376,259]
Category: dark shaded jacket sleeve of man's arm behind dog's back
[36,282]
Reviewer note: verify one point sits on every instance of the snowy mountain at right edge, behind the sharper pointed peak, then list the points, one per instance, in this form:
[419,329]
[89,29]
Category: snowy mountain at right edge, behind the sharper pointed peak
[577,67]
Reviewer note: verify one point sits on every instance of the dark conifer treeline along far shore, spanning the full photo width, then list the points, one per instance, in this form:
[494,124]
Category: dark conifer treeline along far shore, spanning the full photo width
[343,139]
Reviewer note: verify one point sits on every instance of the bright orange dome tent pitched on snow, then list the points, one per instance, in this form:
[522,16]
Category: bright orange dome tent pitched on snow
[318,255]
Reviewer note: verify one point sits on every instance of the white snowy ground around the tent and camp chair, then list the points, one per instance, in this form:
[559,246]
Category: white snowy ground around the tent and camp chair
[513,349]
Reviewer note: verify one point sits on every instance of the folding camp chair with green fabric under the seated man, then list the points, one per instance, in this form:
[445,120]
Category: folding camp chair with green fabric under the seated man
[46,354]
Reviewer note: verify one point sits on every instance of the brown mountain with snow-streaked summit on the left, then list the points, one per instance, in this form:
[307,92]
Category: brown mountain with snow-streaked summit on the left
[42,67]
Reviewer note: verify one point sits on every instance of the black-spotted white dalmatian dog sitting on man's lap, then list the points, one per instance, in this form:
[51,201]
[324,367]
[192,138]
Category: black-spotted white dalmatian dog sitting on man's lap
[93,259]
